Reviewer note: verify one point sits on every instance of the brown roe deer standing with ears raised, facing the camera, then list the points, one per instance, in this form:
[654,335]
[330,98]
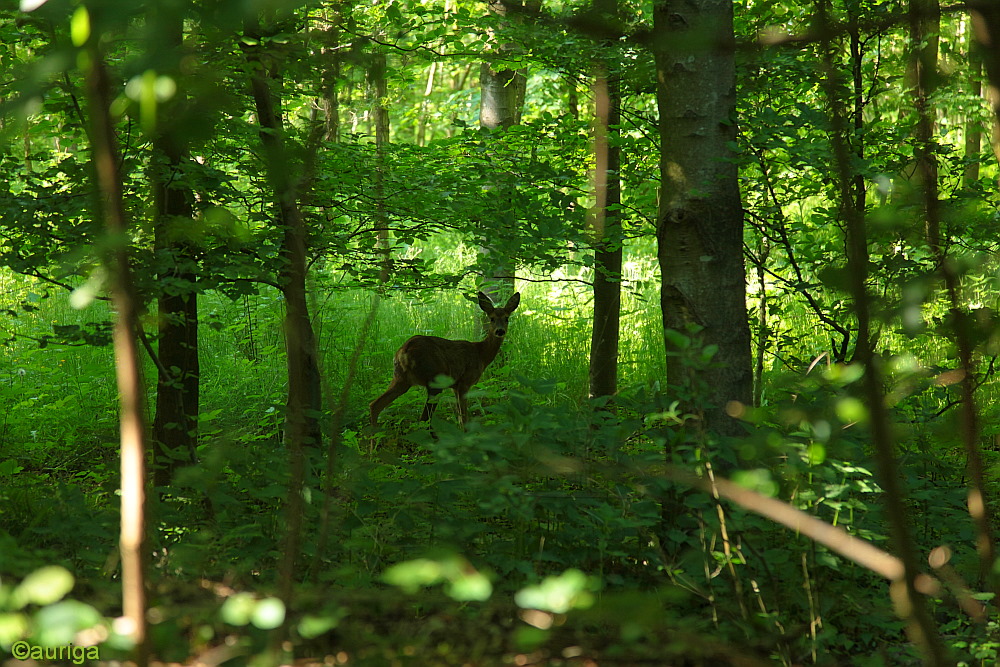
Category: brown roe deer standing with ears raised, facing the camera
[423,358]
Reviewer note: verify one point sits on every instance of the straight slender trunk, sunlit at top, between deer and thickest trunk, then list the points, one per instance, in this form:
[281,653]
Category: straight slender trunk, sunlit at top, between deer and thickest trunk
[607,237]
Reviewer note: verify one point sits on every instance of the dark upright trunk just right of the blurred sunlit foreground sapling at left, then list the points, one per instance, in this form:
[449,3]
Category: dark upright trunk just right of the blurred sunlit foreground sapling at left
[175,426]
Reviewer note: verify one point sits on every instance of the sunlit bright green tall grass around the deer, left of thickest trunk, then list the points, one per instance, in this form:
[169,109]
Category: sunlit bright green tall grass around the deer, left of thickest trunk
[60,394]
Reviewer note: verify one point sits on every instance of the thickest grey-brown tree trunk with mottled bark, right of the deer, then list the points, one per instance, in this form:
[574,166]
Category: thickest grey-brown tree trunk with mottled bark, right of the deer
[700,220]
